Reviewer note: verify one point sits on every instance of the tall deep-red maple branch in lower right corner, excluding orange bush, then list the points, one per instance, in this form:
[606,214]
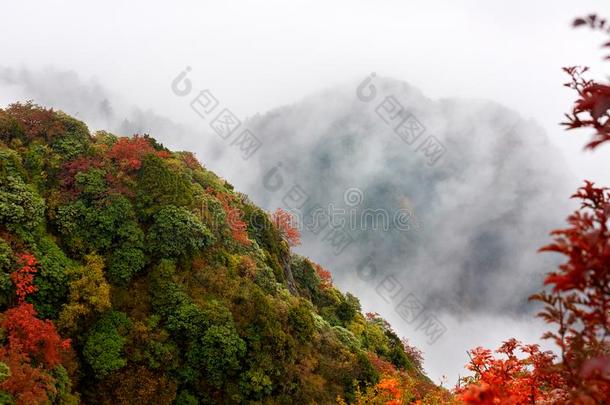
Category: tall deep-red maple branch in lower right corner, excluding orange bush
[579,303]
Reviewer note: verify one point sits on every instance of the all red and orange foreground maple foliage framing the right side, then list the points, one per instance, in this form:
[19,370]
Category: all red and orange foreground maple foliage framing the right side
[579,301]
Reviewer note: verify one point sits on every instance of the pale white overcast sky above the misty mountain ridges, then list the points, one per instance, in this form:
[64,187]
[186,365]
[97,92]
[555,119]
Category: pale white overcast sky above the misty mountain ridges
[258,55]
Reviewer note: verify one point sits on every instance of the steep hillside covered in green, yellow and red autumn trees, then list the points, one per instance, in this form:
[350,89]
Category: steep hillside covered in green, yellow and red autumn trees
[130,274]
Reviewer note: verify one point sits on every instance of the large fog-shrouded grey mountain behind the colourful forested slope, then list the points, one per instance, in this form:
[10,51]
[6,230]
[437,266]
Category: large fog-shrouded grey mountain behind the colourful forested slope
[468,190]
